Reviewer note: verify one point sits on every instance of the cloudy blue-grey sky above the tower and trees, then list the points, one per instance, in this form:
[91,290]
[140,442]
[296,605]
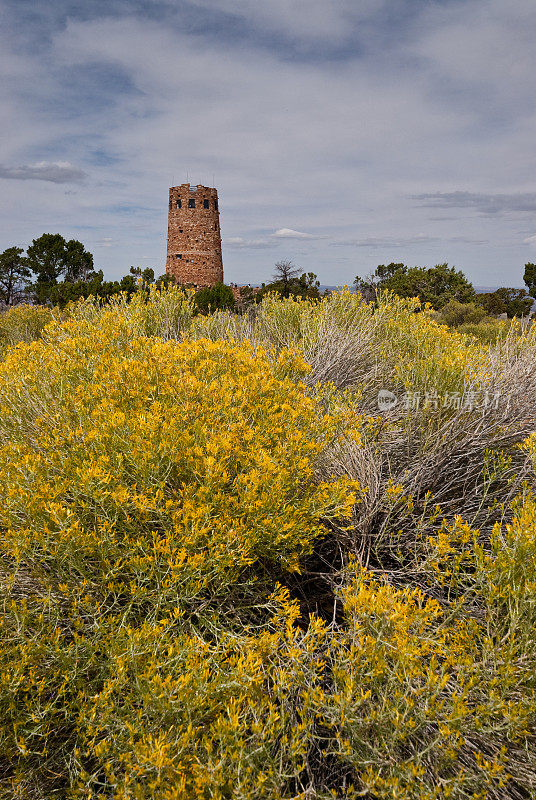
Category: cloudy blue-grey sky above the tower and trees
[340,134]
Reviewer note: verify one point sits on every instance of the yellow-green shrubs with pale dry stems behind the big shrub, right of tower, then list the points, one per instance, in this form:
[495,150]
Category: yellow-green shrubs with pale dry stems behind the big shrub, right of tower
[390,343]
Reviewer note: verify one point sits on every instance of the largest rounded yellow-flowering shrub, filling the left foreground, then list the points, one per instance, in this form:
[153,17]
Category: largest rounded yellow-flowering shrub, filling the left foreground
[146,487]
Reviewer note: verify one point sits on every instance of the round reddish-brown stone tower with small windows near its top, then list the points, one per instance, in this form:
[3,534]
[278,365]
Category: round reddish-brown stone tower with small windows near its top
[194,240]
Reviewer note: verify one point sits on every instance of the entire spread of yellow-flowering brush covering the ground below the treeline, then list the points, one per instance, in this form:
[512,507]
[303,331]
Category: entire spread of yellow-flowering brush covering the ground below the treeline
[225,573]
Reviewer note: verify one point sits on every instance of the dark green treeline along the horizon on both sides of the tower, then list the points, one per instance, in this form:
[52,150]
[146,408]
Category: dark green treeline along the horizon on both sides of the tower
[55,271]
